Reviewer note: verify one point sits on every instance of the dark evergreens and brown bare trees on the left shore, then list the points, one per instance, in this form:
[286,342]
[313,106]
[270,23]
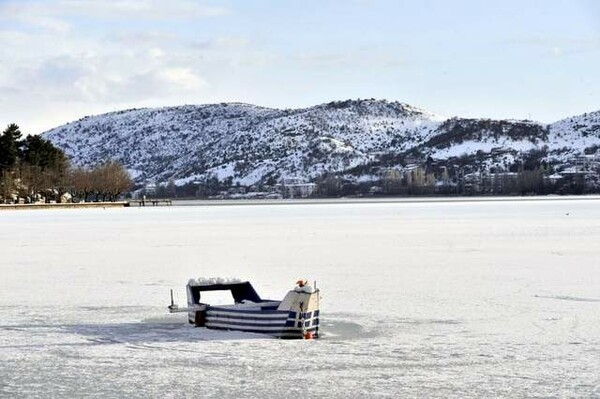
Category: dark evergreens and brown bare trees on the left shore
[33,169]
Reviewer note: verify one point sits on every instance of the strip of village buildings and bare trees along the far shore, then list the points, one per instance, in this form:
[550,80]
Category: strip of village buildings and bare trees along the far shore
[580,175]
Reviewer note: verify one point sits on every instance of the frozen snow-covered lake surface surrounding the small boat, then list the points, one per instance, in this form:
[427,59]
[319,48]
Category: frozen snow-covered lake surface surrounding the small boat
[431,299]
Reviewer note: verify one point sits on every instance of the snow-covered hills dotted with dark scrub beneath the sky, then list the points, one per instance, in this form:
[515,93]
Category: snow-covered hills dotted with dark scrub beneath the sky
[354,138]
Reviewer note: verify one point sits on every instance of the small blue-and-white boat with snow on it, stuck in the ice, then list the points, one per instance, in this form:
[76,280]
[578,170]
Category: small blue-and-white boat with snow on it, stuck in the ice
[296,316]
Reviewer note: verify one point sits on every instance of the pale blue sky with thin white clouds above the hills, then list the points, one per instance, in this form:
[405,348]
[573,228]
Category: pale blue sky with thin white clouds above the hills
[61,60]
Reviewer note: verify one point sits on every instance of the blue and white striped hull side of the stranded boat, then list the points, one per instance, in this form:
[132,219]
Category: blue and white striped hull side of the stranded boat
[282,324]
